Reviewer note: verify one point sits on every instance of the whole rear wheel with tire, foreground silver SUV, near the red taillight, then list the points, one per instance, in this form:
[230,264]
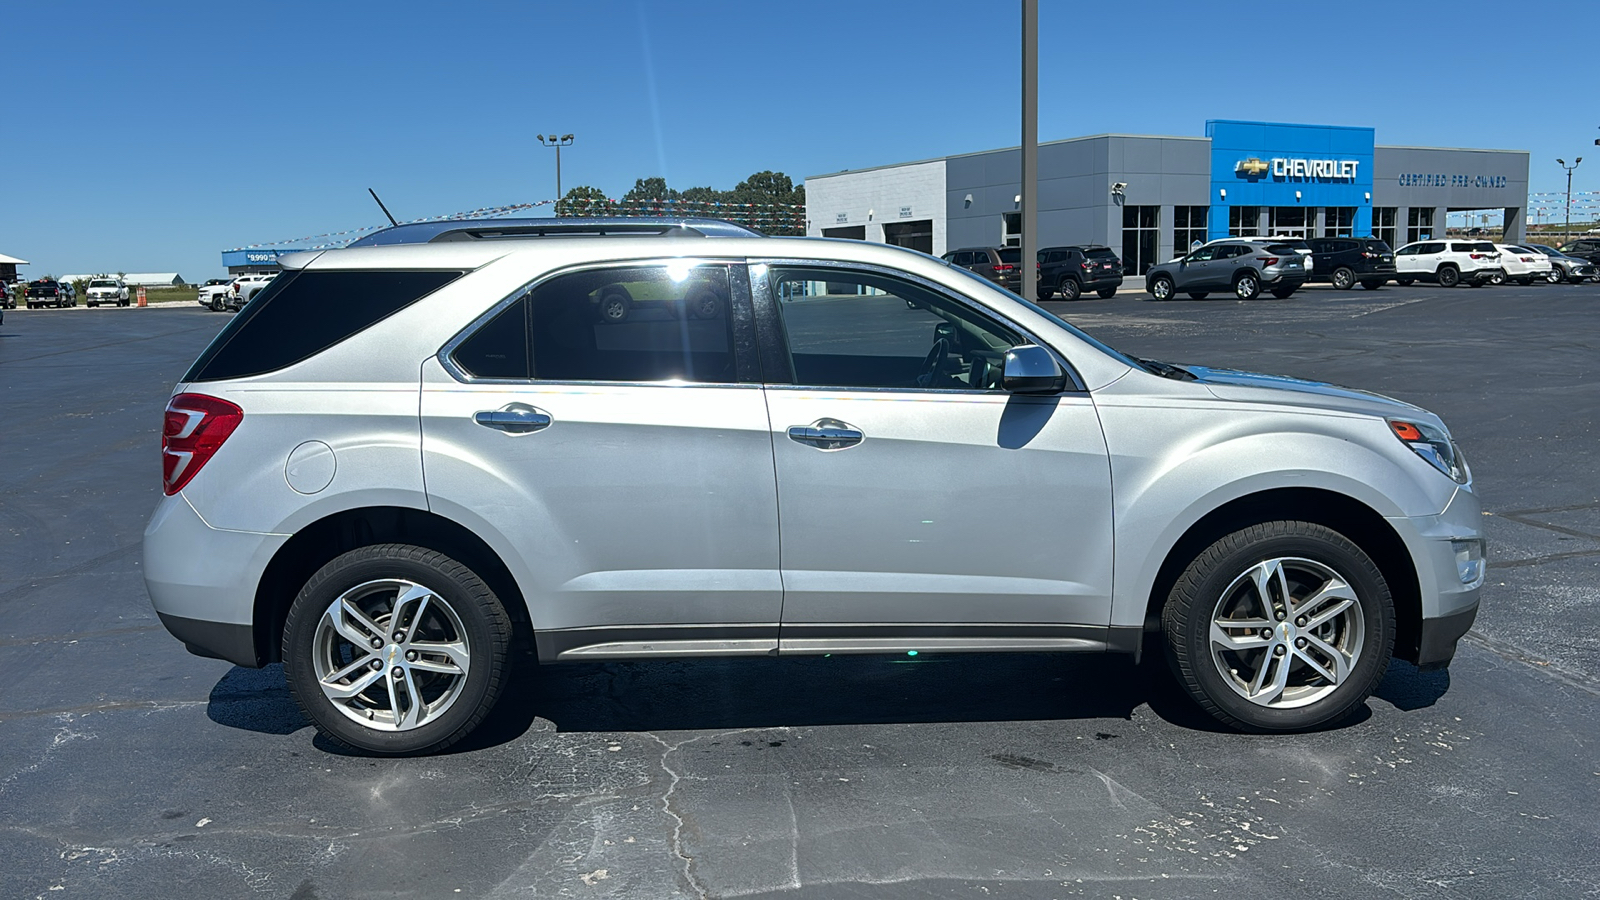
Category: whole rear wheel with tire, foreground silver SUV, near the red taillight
[396,649]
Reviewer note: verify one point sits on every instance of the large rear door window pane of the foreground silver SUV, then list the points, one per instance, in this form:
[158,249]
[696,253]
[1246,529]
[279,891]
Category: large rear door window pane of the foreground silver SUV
[634,324]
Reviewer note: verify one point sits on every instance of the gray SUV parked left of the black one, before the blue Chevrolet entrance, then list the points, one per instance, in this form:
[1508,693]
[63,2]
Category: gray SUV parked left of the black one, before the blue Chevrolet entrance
[1242,268]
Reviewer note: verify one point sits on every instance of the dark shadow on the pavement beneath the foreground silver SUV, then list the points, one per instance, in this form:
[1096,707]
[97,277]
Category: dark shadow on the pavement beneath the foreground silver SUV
[657,696]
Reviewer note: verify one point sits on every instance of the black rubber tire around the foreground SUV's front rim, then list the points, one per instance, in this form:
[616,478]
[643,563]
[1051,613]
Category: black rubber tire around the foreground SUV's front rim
[1218,574]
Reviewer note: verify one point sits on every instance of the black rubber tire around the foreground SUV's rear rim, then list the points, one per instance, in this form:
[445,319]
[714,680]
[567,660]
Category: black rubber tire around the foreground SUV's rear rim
[486,630]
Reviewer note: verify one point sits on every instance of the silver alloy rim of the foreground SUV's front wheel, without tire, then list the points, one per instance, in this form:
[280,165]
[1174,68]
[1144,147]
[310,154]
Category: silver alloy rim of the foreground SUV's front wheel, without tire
[1287,633]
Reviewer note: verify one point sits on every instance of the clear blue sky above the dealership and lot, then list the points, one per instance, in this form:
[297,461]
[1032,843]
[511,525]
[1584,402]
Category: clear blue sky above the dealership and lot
[164,134]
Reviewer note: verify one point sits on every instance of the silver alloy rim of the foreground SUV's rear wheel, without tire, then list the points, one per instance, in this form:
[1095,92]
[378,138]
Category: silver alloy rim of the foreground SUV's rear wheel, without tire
[391,656]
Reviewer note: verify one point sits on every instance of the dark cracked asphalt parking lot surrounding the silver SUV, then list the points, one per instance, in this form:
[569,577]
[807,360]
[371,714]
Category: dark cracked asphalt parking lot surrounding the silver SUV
[132,769]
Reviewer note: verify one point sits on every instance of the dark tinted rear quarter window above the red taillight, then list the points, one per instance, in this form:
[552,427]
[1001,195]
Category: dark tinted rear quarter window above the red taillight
[302,315]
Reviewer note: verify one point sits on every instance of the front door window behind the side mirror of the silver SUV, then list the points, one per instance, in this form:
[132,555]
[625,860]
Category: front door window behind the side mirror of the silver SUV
[871,331]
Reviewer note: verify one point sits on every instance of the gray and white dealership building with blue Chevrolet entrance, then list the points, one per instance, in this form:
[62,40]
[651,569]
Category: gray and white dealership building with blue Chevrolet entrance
[1151,198]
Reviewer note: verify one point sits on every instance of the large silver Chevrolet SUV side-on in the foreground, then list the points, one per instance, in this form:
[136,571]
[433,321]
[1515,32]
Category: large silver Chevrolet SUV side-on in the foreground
[402,464]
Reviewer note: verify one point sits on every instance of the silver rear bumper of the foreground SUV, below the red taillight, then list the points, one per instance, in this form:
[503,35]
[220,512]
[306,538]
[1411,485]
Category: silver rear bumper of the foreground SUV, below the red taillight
[202,581]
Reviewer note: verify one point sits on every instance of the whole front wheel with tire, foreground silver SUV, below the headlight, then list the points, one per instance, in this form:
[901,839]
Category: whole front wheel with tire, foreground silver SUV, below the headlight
[1281,627]
